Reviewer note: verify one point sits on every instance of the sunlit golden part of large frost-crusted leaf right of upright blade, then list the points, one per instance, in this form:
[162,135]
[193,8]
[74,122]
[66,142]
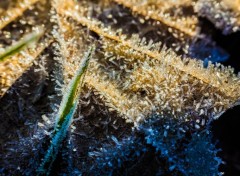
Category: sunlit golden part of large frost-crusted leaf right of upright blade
[175,85]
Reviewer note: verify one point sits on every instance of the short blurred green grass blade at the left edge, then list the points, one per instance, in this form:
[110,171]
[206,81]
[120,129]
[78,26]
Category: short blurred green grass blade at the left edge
[17,47]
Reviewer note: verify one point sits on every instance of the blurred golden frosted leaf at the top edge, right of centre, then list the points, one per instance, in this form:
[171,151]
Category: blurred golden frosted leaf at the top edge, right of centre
[170,13]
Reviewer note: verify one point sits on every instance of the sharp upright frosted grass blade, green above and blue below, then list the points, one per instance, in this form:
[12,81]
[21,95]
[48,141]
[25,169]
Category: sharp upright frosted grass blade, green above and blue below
[65,115]
